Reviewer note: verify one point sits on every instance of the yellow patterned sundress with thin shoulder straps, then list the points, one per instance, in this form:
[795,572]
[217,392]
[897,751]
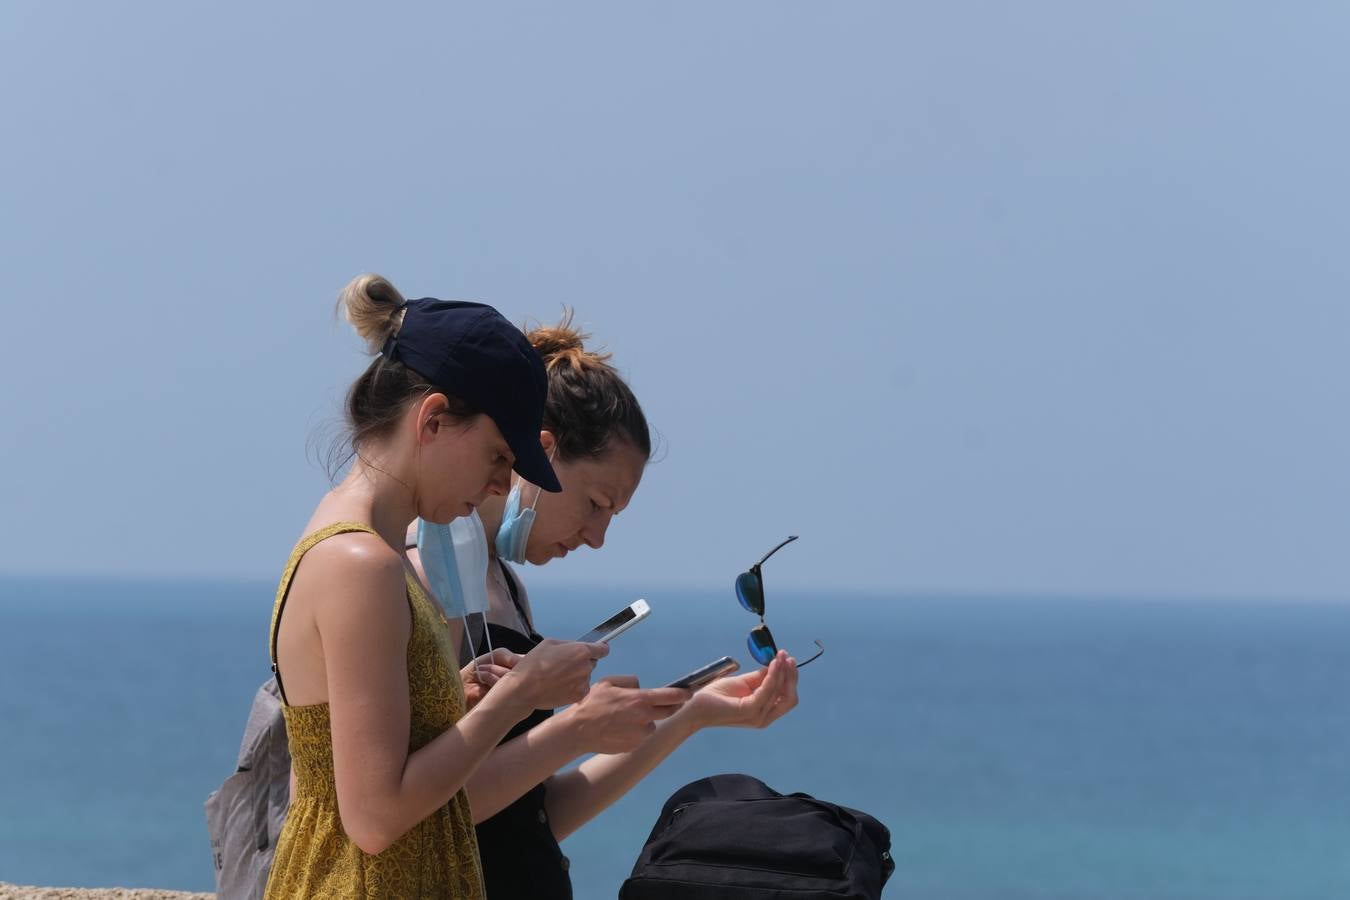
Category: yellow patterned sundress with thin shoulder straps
[315,859]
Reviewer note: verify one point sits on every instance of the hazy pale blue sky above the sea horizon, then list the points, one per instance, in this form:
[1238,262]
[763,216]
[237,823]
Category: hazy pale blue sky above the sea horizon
[989,298]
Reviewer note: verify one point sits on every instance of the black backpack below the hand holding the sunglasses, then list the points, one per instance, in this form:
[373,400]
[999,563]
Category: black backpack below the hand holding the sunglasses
[732,837]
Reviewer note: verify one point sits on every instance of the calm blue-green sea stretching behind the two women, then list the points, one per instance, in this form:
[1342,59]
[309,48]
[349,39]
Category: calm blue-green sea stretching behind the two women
[1039,748]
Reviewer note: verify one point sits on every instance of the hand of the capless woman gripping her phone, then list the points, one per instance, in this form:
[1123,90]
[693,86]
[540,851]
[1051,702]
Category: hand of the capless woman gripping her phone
[618,714]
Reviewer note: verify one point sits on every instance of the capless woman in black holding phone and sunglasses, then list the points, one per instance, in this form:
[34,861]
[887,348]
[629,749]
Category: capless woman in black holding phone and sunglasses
[523,799]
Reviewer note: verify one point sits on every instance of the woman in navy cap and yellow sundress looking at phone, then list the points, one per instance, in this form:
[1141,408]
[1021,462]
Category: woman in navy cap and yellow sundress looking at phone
[375,706]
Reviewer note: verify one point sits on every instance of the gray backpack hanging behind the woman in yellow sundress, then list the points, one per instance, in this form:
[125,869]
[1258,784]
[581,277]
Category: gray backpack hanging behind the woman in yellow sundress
[246,814]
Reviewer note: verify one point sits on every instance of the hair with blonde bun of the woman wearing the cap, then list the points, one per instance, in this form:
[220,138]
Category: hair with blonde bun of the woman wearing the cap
[380,396]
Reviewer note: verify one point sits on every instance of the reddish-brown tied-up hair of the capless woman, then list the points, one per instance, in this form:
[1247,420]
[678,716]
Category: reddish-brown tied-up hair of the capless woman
[589,404]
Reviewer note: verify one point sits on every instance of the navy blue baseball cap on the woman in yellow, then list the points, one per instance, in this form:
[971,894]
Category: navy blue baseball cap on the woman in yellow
[470,351]
